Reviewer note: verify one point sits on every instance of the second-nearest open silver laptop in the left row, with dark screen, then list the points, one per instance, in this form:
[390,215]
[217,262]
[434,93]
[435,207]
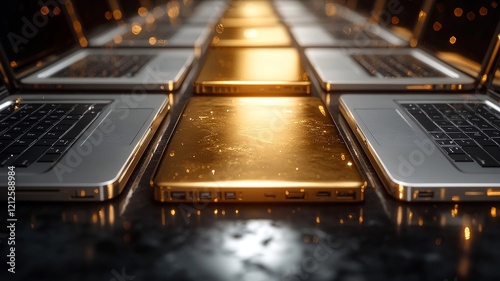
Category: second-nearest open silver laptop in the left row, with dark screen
[45,54]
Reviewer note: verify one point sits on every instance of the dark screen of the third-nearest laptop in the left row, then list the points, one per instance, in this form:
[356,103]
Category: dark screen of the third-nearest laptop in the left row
[95,14]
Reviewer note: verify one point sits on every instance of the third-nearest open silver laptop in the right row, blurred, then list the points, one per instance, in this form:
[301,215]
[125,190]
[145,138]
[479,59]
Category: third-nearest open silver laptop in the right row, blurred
[392,26]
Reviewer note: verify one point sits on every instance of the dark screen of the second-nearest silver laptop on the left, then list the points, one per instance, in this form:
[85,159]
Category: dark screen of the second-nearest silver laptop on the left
[31,31]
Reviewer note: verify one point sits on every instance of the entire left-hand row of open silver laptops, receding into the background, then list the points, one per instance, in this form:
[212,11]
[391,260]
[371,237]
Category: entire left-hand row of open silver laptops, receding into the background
[74,146]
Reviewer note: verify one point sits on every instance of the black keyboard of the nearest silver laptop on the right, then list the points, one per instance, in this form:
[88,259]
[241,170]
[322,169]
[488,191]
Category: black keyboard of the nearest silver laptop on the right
[465,132]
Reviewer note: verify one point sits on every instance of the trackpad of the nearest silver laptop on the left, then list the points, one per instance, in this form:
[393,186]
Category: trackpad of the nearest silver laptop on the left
[120,127]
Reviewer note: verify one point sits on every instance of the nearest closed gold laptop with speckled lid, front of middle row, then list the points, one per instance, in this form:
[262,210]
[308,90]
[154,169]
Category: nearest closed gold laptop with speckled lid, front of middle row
[250,149]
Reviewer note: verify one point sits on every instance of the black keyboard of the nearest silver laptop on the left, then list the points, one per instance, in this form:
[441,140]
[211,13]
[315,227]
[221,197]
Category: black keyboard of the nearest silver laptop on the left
[42,132]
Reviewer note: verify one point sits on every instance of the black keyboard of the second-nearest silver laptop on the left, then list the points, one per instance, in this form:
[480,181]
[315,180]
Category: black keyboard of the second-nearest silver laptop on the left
[105,66]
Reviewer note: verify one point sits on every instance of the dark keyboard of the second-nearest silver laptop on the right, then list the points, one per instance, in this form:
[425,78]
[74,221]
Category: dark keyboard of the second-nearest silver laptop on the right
[395,66]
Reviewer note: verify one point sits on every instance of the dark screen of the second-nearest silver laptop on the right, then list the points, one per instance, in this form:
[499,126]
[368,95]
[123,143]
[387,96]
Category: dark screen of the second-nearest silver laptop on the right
[460,32]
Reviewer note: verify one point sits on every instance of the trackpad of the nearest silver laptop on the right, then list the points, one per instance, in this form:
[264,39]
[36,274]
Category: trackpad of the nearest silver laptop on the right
[388,127]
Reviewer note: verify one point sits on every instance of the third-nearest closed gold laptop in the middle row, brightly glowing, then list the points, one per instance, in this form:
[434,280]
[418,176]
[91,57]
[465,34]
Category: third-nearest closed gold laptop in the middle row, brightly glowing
[252,36]
